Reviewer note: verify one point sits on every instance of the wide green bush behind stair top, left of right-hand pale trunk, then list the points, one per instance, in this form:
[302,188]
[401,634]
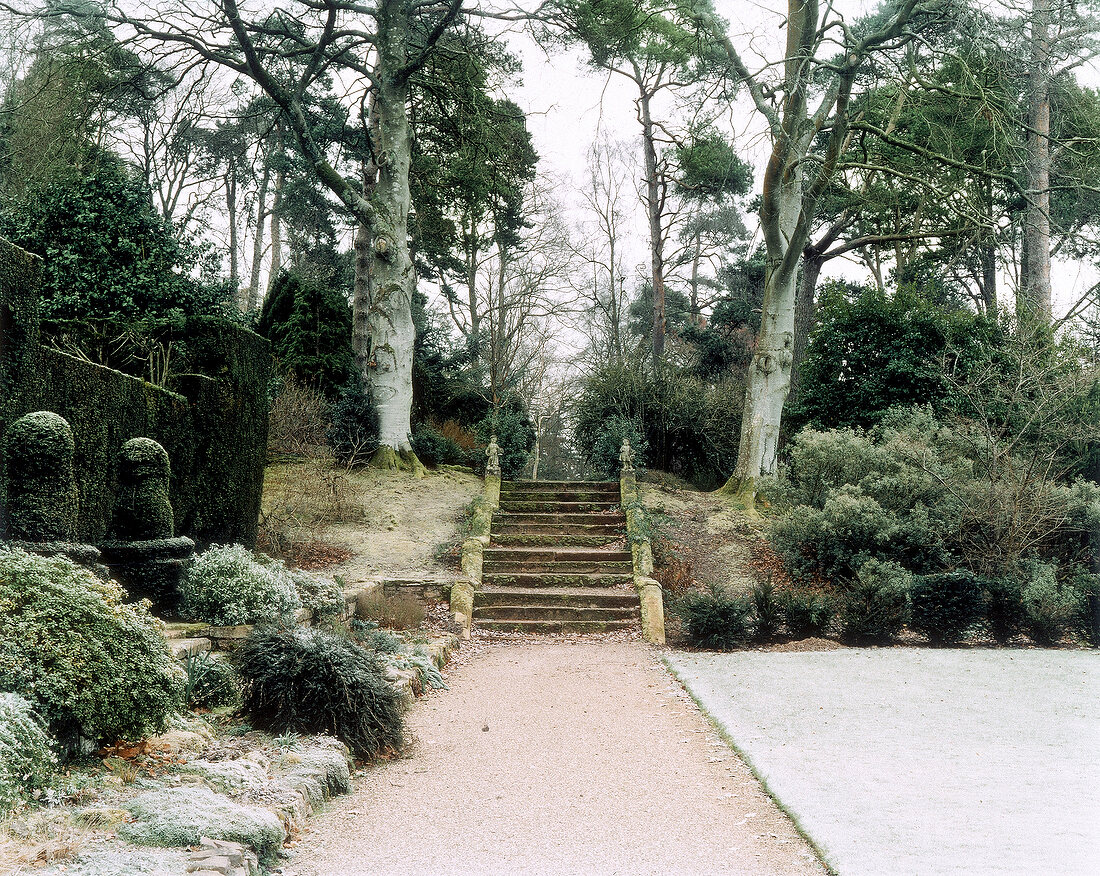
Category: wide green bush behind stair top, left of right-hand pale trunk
[690,428]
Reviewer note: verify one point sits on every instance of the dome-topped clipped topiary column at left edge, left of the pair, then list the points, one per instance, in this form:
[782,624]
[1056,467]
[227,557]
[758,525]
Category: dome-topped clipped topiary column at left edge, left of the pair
[42,496]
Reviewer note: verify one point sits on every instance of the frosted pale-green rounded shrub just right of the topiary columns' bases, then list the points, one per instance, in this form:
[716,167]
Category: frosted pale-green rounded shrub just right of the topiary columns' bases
[229,585]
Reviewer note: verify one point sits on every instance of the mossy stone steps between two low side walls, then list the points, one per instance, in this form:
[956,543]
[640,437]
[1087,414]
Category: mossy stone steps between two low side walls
[557,561]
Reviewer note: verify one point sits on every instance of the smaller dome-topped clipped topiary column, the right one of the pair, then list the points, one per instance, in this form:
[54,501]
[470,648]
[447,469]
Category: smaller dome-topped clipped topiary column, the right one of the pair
[142,511]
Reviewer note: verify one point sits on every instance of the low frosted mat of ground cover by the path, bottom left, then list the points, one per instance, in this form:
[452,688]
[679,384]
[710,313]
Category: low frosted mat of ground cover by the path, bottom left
[182,816]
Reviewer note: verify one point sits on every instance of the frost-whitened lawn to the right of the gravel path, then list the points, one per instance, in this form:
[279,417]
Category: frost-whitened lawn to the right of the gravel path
[916,761]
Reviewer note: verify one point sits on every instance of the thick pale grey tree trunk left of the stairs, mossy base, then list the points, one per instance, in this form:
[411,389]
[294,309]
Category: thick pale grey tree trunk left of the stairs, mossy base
[388,373]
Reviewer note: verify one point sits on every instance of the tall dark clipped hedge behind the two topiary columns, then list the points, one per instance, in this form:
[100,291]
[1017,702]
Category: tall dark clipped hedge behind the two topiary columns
[213,422]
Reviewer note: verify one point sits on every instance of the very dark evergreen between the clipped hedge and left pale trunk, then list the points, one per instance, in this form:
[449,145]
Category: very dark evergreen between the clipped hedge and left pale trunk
[310,330]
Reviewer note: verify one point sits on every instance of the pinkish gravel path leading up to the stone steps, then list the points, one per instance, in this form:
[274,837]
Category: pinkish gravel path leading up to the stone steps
[551,758]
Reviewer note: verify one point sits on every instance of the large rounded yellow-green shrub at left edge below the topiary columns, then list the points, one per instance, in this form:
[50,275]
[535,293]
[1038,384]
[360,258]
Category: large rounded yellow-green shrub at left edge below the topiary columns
[95,666]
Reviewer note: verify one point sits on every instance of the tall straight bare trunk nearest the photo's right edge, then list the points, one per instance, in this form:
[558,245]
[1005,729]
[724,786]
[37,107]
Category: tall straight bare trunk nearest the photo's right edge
[1037,281]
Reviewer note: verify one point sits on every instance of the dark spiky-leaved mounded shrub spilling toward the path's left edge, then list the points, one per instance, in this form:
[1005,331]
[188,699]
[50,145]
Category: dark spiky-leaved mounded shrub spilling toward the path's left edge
[302,681]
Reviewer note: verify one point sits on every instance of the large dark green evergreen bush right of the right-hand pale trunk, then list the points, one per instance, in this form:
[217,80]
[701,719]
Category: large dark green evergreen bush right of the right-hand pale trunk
[874,353]
